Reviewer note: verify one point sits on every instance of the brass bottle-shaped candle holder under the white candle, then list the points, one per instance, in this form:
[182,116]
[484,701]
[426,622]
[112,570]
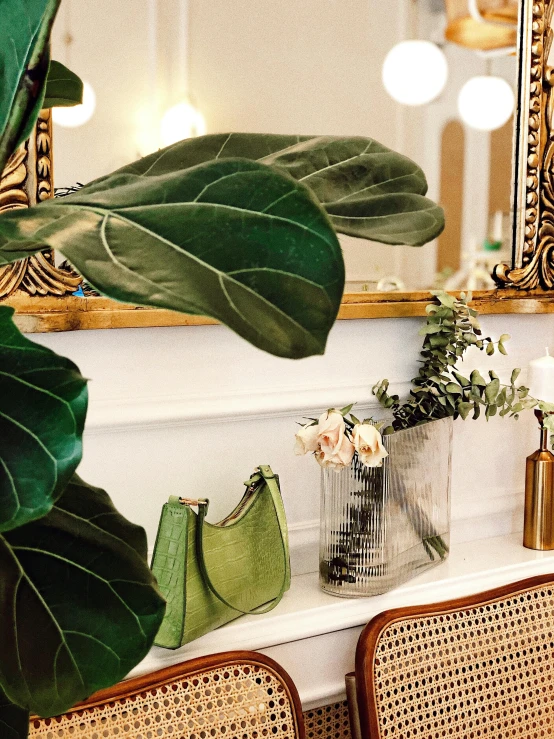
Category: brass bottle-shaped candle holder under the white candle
[539,495]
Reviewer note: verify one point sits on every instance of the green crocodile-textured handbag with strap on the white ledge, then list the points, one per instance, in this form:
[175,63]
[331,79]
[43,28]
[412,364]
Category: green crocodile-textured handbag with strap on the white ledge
[212,573]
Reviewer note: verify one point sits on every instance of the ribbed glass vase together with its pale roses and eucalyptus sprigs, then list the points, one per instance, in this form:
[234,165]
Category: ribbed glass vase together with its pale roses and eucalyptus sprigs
[406,499]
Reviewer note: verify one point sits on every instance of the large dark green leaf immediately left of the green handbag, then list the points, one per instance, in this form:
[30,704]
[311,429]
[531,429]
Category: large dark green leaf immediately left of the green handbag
[79,607]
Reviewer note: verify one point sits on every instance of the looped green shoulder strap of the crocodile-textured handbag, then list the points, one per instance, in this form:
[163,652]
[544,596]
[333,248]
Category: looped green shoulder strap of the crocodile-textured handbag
[264,474]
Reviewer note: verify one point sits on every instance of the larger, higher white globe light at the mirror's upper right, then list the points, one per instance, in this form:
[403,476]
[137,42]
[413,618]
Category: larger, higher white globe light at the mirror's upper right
[415,72]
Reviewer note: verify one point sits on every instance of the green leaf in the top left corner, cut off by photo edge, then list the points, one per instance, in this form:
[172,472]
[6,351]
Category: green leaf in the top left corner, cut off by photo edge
[25,27]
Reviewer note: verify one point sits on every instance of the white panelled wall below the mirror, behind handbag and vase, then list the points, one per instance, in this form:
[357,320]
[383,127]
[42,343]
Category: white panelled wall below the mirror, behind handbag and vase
[192,410]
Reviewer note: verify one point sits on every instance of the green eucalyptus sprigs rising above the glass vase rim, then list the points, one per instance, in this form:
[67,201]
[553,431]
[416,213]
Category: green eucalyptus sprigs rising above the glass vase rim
[439,390]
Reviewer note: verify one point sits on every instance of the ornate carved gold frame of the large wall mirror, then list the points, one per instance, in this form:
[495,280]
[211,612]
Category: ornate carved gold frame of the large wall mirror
[41,292]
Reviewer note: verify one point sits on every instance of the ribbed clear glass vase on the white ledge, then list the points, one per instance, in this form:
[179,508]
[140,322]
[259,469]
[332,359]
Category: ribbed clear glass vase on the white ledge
[380,526]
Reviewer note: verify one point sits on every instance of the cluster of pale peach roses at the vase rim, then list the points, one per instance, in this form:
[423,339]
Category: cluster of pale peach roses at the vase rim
[338,437]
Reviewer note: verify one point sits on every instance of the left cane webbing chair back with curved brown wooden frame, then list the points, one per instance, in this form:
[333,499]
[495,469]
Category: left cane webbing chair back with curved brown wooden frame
[235,695]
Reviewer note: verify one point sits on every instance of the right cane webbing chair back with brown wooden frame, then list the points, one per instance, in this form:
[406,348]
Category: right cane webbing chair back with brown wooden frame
[476,667]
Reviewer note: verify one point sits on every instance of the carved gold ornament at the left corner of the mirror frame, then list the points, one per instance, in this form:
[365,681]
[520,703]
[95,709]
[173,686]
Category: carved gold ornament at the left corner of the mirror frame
[27,180]
